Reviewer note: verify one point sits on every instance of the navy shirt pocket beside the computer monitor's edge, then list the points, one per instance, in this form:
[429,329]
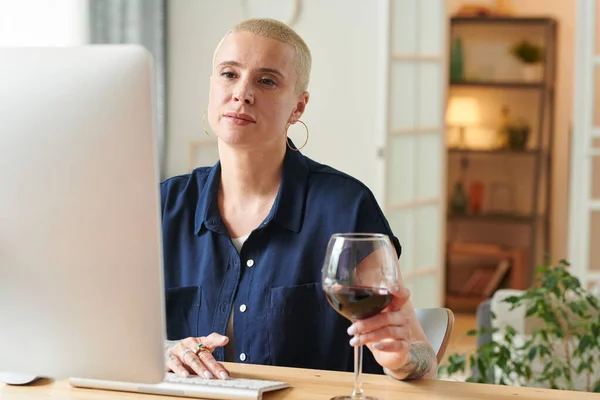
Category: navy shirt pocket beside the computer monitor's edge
[182,311]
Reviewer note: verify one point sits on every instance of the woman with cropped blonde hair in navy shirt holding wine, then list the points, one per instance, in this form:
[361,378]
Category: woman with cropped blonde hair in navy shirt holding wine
[244,241]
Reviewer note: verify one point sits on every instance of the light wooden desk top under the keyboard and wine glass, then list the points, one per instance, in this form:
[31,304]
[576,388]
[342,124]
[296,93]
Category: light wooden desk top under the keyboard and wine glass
[313,384]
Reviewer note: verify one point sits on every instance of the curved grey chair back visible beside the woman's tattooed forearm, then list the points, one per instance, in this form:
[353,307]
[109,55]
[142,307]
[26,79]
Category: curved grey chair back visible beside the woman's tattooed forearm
[437,324]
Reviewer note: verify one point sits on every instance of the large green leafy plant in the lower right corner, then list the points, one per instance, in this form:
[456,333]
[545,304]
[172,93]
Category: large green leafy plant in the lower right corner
[561,352]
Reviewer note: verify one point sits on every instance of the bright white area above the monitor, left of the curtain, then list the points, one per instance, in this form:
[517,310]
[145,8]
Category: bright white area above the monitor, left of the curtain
[43,22]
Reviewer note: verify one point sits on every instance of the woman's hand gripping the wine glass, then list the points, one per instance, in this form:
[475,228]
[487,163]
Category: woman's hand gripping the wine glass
[387,334]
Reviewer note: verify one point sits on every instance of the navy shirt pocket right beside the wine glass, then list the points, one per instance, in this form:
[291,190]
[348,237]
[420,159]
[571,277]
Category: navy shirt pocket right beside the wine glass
[297,320]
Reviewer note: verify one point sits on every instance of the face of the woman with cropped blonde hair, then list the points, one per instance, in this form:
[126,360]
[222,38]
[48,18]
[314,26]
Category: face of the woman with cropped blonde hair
[253,93]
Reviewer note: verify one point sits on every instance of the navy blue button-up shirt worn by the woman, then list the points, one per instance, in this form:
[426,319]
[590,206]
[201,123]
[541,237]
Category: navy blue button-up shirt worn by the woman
[285,319]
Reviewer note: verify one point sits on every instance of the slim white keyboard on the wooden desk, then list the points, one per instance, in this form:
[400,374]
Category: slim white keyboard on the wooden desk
[193,386]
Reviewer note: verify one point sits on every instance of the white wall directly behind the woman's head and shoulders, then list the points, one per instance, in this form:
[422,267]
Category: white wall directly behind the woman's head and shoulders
[344,113]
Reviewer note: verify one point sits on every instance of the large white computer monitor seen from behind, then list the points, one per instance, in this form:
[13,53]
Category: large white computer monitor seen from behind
[81,284]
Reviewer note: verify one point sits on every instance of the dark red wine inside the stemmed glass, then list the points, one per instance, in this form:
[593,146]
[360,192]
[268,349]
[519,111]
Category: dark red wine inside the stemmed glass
[358,302]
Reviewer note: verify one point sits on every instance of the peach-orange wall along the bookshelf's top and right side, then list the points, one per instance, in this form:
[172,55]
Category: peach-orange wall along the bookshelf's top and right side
[564,12]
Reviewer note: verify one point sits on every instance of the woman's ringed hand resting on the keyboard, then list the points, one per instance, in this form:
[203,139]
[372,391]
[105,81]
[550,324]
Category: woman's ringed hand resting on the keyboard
[182,360]
